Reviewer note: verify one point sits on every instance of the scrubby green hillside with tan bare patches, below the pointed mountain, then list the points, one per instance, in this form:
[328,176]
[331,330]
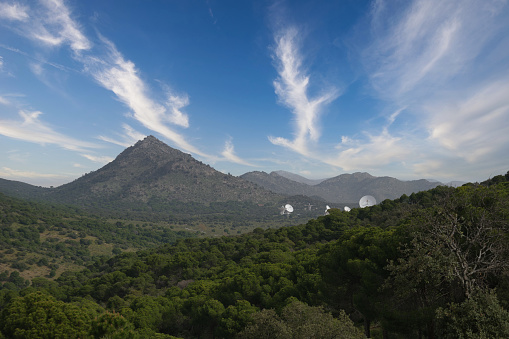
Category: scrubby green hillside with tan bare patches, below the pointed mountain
[44,240]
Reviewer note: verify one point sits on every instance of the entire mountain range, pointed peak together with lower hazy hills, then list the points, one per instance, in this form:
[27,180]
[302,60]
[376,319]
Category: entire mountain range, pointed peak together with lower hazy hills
[151,177]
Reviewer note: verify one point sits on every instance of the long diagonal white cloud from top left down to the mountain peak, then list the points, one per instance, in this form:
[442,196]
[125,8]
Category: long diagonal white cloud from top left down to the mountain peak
[51,24]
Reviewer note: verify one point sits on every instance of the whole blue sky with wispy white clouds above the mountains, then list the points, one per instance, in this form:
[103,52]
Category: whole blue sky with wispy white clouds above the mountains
[409,89]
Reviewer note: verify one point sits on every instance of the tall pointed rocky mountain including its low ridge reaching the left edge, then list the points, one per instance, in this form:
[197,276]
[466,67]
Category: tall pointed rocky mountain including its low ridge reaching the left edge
[152,181]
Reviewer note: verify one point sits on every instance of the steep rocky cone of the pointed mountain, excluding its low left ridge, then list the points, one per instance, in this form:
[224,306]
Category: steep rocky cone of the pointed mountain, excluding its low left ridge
[151,170]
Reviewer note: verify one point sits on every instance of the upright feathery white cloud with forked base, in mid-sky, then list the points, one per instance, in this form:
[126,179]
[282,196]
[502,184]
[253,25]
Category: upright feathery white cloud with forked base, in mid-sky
[292,90]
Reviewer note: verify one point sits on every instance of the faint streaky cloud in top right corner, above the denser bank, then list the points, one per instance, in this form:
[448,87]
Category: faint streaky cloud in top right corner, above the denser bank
[422,46]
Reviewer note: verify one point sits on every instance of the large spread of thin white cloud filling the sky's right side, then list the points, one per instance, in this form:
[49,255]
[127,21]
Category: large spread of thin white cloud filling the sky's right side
[446,63]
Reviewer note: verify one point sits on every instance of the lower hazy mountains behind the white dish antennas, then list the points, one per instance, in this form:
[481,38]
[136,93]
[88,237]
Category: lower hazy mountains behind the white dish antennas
[343,189]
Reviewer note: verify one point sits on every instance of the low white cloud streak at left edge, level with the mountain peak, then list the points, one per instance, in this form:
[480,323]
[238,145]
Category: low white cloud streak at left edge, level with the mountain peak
[30,128]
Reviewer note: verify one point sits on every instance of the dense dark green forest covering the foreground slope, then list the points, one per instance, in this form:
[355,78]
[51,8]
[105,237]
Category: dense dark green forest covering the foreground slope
[434,264]
